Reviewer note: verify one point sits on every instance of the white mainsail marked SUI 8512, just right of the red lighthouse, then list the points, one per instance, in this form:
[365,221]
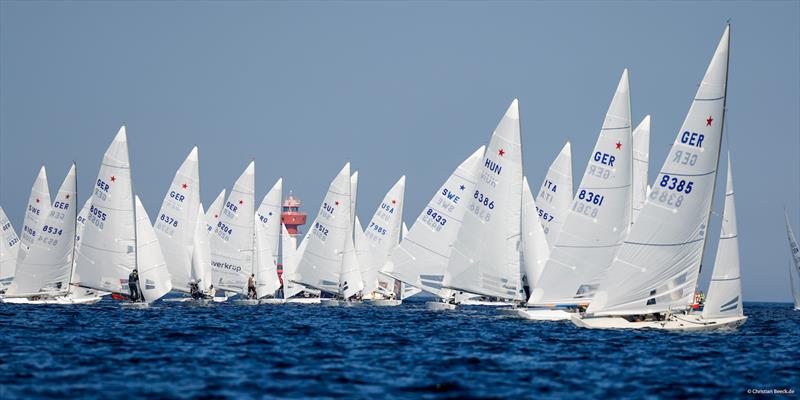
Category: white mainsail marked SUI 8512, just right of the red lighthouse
[320,264]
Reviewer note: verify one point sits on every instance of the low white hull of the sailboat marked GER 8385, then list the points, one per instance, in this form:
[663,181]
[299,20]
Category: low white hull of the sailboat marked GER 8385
[692,322]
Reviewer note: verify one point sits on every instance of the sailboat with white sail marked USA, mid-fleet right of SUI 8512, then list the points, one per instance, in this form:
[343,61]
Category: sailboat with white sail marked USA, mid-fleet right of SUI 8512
[379,239]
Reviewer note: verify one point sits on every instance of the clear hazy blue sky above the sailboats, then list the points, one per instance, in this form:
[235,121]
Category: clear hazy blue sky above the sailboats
[396,88]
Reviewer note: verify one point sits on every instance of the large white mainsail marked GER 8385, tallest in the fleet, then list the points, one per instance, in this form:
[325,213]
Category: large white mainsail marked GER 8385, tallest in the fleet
[656,268]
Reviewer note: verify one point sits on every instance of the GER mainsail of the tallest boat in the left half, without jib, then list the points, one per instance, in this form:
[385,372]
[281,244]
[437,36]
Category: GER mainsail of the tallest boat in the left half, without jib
[107,251]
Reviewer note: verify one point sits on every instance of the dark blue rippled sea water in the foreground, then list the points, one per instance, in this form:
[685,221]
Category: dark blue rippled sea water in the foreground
[299,351]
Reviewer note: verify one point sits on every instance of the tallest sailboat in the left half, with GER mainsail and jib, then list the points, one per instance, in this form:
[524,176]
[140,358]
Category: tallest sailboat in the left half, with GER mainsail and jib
[118,237]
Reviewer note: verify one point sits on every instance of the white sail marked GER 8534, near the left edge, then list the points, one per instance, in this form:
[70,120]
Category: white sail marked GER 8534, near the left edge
[47,267]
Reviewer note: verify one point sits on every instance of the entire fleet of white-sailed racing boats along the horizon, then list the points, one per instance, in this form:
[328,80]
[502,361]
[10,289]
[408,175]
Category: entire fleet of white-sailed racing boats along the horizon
[616,253]
